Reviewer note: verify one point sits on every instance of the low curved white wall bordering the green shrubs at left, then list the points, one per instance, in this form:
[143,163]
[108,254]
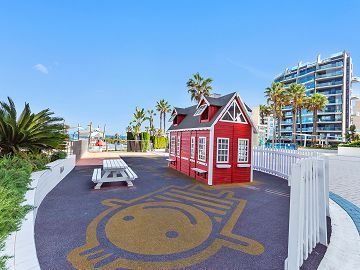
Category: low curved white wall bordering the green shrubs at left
[21,244]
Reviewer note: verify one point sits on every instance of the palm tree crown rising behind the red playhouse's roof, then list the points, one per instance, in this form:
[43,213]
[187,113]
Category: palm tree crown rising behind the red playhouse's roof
[199,87]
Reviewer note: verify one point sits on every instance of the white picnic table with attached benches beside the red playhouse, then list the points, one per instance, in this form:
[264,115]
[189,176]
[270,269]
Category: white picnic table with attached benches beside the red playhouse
[114,170]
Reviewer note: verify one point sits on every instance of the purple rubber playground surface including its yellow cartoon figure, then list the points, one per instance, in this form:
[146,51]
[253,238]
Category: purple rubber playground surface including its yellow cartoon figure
[258,238]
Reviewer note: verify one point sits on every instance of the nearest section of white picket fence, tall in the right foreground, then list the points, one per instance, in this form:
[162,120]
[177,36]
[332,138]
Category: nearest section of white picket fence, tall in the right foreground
[308,210]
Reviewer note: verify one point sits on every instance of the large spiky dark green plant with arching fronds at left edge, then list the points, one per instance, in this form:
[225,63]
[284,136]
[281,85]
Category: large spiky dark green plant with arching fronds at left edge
[30,132]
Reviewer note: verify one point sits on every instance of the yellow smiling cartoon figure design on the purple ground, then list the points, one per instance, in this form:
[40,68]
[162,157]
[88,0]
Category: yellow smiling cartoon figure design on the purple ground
[173,227]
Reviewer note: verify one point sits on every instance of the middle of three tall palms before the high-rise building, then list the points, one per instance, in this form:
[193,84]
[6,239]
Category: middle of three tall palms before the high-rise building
[295,94]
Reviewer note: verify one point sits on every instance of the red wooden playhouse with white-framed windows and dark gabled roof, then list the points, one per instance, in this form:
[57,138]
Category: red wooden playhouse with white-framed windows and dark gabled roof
[212,141]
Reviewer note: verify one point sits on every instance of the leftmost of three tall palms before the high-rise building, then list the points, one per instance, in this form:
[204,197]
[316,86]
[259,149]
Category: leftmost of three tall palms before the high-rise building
[276,97]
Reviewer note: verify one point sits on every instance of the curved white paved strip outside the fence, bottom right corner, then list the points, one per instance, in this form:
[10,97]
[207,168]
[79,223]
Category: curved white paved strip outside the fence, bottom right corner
[343,250]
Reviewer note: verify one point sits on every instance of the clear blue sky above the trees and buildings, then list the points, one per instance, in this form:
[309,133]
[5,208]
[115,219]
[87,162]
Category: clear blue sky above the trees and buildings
[97,60]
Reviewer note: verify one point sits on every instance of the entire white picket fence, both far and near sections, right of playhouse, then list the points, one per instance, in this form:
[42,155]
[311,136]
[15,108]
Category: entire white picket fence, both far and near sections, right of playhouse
[307,175]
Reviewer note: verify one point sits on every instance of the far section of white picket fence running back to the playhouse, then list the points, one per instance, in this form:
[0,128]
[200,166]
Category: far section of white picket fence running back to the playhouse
[278,162]
